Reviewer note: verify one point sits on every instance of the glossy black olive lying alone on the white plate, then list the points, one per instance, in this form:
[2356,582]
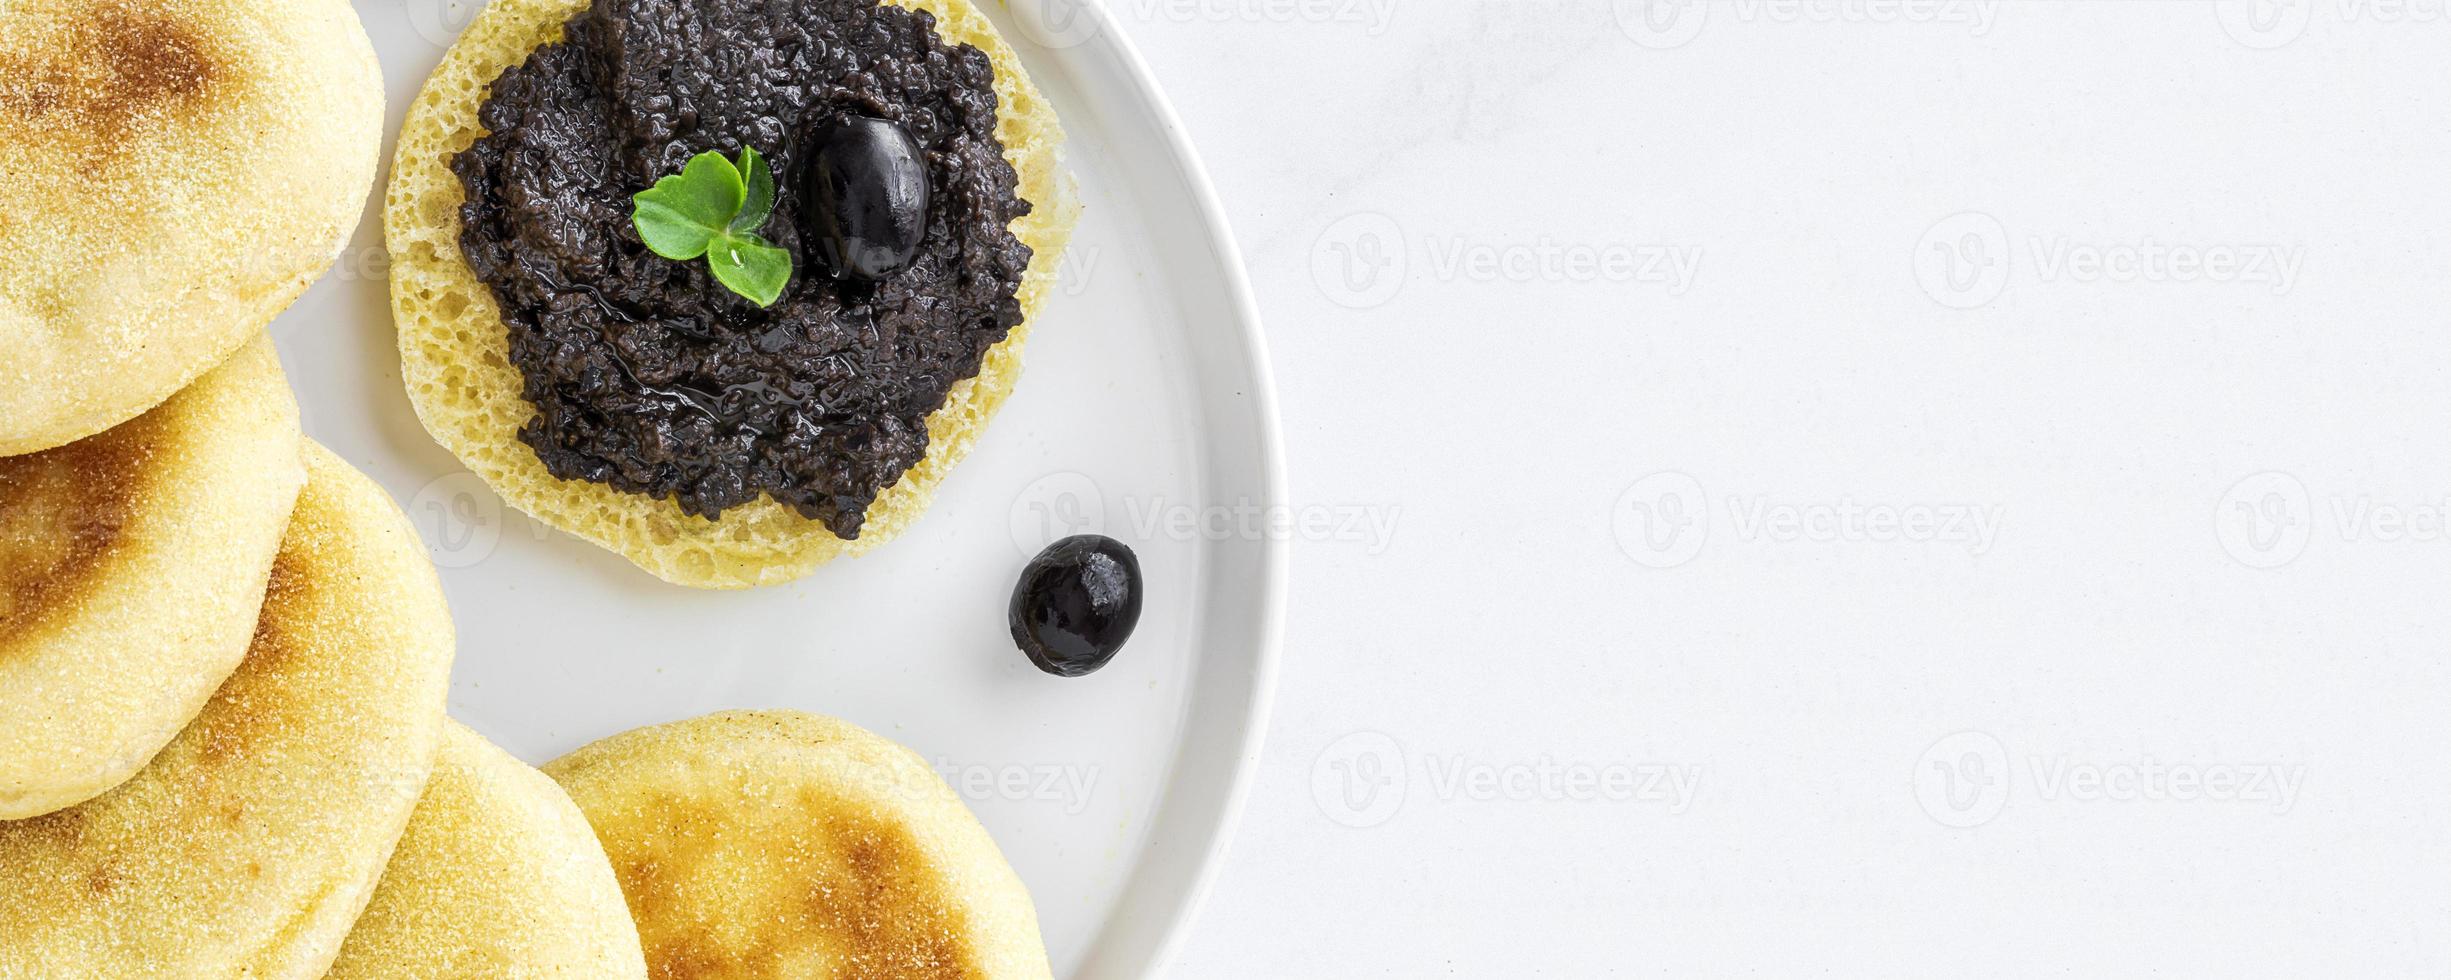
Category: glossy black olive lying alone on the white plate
[1077,604]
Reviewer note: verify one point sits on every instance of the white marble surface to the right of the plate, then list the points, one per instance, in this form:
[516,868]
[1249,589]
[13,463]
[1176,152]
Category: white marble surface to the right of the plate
[2001,327]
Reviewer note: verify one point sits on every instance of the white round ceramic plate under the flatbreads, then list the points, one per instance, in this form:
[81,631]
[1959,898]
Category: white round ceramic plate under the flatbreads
[1146,413]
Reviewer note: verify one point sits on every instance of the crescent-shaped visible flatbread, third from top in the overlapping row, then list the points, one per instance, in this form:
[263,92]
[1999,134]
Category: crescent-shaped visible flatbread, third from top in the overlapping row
[251,844]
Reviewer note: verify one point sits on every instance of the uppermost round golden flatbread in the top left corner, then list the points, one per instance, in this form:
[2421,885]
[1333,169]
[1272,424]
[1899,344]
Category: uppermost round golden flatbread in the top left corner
[175,175]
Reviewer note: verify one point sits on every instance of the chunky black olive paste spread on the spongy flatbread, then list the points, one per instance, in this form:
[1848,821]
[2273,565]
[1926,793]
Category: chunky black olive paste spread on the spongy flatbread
[651,376]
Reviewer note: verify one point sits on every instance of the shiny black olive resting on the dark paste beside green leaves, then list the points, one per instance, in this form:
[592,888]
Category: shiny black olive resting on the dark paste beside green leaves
[864,197]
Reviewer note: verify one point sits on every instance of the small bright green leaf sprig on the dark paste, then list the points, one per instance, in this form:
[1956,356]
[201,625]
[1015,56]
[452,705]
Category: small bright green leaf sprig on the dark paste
[714,209]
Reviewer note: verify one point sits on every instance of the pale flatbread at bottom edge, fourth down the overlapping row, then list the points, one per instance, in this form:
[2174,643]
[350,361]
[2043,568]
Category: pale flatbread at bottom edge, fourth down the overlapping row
[496,878]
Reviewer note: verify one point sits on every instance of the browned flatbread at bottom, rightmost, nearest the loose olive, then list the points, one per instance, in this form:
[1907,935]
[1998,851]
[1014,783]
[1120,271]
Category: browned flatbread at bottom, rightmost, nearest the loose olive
[773,844]
